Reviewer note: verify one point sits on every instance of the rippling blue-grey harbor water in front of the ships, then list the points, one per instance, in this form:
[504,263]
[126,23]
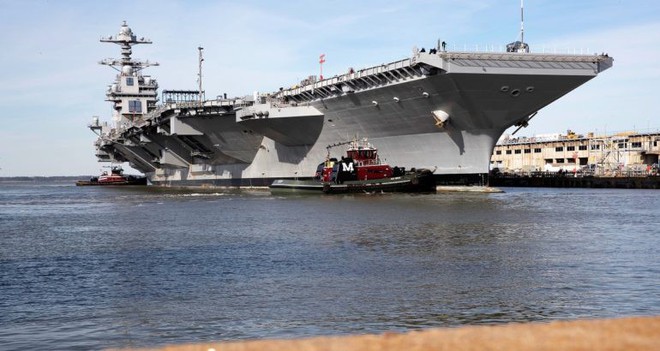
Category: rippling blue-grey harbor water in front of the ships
[95,267]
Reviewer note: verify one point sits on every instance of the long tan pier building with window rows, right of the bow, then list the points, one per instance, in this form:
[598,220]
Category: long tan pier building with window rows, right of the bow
[627,154]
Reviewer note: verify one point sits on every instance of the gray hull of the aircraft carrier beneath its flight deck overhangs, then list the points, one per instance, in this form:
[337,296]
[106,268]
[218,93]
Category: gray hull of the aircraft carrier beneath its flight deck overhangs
[405,131]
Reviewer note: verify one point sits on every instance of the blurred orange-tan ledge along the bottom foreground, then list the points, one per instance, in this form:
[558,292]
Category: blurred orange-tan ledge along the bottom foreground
[629,334]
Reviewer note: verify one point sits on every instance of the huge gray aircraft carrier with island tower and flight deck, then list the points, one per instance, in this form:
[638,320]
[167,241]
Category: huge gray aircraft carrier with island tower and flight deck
[436,109]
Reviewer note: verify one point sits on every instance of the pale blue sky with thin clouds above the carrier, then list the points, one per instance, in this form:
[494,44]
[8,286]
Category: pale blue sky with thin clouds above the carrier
[52,84]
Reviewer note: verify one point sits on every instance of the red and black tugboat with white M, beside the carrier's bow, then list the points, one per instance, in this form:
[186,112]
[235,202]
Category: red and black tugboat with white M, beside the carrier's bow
[360,171]
